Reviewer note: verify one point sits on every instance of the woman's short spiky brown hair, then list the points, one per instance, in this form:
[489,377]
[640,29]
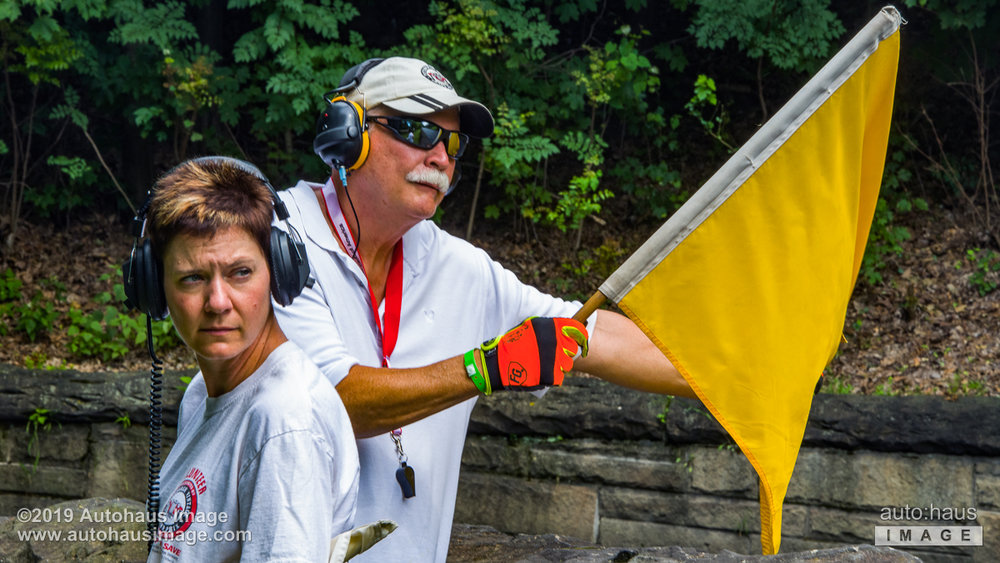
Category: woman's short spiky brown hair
[202,196]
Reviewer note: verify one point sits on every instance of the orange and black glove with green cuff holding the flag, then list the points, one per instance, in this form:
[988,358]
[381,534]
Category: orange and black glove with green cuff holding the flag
[535,354]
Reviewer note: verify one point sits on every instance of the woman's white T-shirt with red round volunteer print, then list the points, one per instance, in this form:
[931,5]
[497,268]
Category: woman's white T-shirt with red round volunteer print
[267,471]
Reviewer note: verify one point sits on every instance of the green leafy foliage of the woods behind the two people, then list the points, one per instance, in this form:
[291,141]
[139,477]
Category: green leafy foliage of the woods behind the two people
[589,104]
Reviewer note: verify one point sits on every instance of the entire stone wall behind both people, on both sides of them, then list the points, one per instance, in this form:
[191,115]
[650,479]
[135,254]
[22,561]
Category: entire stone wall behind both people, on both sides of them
[589,461]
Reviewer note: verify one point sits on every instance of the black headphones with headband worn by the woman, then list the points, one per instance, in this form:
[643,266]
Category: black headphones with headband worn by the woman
[141,273]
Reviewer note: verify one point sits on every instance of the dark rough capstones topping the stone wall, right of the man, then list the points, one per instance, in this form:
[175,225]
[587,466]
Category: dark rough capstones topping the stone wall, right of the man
[591,408]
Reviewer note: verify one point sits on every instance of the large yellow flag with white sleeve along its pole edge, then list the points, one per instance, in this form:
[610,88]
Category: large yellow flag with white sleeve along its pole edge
[746,287]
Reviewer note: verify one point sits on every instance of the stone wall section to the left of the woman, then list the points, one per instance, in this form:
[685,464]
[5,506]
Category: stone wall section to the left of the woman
[84,452]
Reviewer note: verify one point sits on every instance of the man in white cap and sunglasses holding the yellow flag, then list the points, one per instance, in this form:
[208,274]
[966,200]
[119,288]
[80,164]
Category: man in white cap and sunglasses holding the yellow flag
[400,310]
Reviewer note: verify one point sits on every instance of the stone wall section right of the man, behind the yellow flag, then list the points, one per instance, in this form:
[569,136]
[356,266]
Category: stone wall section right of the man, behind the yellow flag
[616,467]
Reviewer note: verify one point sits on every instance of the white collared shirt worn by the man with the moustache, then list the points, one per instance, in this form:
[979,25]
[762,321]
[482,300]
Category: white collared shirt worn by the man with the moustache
[454,298]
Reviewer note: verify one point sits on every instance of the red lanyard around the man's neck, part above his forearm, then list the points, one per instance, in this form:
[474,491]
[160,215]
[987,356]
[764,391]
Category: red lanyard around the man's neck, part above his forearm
[393,284]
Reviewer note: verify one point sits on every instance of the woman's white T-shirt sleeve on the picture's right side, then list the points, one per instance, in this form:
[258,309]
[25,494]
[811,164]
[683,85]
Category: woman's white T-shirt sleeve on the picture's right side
[286,499]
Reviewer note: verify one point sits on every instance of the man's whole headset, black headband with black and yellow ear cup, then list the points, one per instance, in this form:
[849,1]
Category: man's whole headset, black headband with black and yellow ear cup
[341,131]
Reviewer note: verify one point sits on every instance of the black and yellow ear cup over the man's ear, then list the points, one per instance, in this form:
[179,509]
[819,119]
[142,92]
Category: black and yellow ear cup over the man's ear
[341,135]
